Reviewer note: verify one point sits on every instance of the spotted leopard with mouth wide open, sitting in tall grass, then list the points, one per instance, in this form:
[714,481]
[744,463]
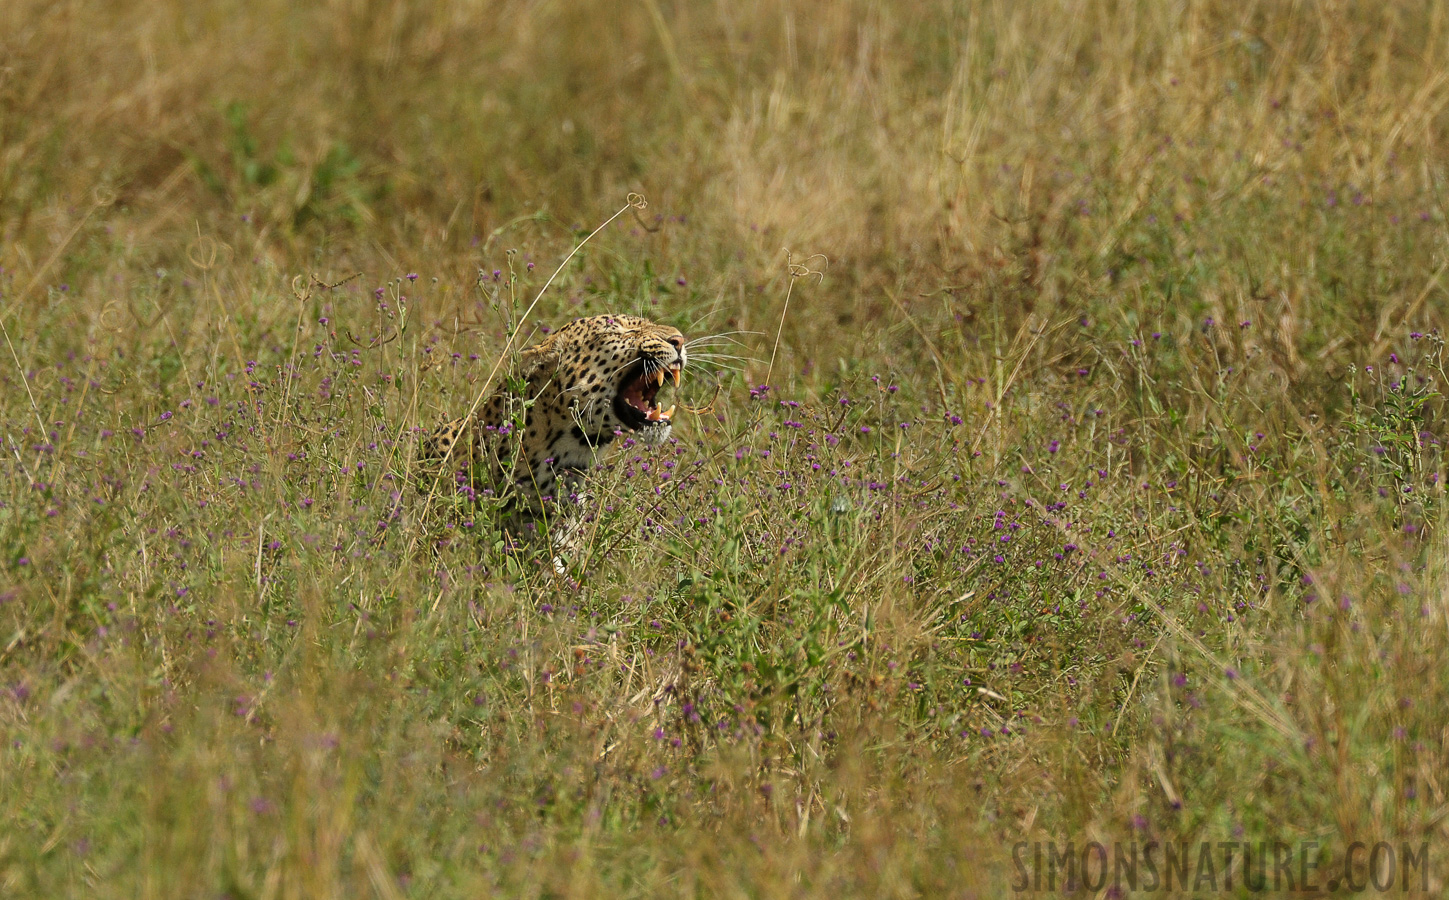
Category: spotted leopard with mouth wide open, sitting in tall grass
[533,440]
